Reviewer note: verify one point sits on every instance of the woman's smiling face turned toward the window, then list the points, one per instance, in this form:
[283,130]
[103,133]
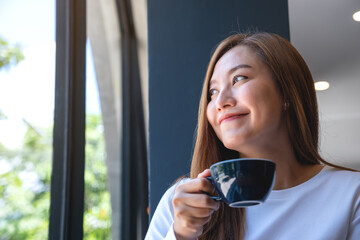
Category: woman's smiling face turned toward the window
[246,109]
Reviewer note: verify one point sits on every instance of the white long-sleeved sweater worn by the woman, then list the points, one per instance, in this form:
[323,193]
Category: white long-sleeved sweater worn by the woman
[326,207]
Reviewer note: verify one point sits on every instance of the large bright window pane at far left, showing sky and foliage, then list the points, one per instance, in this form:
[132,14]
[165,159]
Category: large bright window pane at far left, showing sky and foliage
[27,77]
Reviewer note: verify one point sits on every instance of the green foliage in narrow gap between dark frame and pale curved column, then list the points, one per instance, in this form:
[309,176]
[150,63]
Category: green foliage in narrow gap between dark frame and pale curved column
[97,214]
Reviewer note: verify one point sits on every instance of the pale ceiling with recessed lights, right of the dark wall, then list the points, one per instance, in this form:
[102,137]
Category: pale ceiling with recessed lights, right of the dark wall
[329,40]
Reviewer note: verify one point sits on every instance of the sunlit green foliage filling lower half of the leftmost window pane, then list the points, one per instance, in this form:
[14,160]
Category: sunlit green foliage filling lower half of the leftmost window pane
[25,187]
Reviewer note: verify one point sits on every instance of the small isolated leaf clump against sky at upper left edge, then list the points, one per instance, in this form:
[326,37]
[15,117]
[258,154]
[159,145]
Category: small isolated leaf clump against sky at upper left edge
[9,54]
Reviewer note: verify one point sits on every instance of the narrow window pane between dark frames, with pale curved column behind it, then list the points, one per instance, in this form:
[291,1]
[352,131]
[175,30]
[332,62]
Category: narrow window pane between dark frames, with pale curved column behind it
[104,41]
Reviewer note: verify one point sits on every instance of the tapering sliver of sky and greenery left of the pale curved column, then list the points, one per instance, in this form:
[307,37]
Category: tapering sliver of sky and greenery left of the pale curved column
[97,212]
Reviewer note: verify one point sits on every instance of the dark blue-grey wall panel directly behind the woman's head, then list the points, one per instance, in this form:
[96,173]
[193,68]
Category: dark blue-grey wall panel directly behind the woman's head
[182,35]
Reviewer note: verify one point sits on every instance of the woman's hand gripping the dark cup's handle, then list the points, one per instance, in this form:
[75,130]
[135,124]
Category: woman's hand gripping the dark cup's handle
[192,207]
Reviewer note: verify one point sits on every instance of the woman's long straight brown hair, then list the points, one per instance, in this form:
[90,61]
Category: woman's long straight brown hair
[297,89]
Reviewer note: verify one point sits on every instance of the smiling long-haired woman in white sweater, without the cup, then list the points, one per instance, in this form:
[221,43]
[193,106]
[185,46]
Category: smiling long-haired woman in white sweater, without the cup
[258,100]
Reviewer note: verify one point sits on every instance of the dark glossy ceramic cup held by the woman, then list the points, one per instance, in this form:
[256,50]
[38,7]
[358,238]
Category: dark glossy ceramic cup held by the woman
[243,182]
